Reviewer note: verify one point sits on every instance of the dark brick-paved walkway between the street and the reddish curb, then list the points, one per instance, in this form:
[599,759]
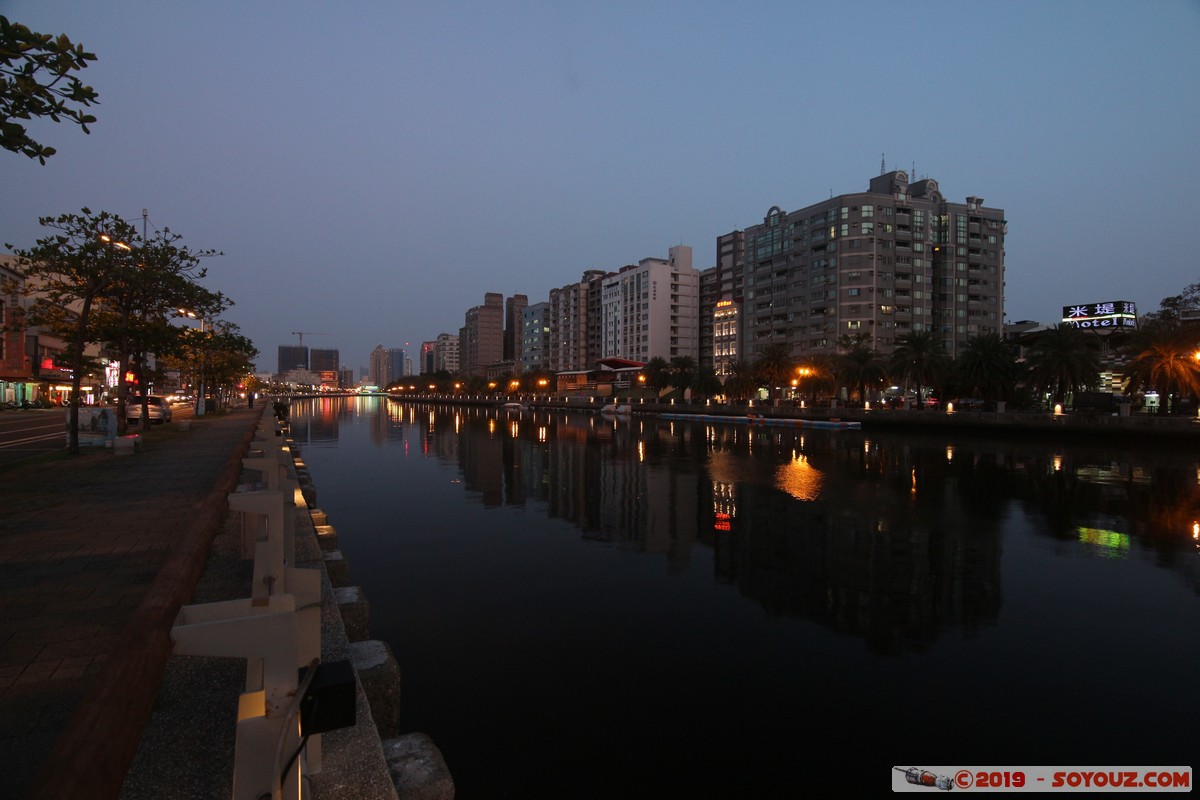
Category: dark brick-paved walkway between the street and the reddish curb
[81,543]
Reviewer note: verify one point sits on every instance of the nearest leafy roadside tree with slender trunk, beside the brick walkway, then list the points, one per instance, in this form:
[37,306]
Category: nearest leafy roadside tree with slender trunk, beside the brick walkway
[70,272]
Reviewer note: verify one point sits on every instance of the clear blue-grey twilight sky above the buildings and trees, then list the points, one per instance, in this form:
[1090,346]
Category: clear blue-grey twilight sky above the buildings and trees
[371,169]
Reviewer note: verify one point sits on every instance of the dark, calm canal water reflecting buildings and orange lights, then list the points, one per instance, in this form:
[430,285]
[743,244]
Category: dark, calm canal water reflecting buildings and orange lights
[611,607]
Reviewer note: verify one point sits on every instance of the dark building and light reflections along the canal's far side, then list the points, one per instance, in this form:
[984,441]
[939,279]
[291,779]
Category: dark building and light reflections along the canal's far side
[889,538]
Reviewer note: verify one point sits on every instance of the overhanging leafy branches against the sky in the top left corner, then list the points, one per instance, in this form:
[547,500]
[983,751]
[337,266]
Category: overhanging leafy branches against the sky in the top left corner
[37,81]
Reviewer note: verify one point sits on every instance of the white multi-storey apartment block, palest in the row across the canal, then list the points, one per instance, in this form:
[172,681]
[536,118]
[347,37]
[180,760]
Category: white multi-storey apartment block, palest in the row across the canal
[652,309]
